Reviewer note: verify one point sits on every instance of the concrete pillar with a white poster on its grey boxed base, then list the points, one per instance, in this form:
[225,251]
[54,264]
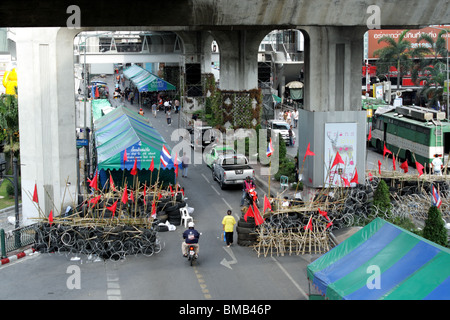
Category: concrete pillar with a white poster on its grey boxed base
[331,119]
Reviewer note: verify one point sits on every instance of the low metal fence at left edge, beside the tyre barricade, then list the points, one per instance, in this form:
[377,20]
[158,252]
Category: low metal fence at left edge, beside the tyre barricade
[16,239]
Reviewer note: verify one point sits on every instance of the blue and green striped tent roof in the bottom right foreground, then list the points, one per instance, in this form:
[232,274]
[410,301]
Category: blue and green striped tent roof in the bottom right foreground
[409,267]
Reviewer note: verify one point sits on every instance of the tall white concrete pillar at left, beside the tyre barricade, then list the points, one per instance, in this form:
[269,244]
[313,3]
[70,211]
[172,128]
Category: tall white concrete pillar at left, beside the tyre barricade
[47,119]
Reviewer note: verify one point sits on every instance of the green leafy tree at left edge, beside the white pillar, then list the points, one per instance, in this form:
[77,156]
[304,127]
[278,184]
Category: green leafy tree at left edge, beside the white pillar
[9,123]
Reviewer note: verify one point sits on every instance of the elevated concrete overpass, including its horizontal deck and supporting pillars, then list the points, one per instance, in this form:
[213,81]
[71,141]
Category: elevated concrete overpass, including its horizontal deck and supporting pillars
[333,32]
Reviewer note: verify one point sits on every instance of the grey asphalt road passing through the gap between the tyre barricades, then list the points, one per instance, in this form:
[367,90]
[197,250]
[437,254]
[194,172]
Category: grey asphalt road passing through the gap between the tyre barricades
[234,273]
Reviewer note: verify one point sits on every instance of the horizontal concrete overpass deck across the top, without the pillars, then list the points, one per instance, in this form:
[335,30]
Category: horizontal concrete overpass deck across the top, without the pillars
[230,14]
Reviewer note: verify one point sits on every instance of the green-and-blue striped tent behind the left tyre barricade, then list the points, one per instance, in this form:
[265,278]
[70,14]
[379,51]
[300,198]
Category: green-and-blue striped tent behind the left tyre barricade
[123,137]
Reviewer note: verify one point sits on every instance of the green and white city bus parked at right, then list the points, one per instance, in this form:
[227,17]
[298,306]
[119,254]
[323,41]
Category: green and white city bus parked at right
[412,134]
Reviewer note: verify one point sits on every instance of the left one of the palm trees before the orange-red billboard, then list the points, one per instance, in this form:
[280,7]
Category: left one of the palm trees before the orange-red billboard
[396,54]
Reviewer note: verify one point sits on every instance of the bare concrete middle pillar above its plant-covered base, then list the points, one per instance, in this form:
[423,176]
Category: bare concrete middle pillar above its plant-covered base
[239,58]
